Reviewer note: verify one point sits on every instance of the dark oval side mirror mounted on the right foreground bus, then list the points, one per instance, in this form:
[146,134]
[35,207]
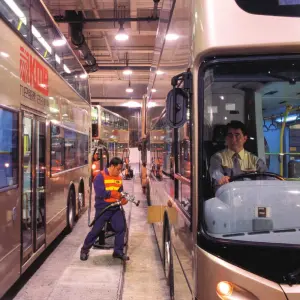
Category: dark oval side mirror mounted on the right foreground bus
[176,108]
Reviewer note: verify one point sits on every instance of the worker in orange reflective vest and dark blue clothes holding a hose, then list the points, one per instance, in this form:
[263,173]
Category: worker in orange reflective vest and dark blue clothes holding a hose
[108,186]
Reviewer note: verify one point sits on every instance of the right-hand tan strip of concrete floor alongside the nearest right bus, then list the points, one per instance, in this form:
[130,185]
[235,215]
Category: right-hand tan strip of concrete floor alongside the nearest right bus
[144,276]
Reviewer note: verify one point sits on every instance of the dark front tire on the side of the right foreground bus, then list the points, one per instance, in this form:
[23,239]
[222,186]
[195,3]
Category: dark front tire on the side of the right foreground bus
[168,258]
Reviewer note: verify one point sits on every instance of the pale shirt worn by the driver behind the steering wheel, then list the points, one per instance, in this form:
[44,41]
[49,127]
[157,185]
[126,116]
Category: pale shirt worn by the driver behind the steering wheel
[221,163]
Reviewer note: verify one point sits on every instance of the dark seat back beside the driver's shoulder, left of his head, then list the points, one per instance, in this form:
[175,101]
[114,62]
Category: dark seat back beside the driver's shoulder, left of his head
[210,148]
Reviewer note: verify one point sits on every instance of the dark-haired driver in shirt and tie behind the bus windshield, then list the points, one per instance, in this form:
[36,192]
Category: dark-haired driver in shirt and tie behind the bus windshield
[234,160]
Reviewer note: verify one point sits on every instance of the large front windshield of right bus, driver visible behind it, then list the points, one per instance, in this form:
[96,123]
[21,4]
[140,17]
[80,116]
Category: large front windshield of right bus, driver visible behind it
[251,150]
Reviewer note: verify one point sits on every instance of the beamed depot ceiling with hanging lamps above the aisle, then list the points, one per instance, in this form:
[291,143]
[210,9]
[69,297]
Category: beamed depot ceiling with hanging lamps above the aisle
[108,83]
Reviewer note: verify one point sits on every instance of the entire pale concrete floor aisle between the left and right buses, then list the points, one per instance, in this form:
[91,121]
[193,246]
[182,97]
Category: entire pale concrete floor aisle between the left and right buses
[64,276]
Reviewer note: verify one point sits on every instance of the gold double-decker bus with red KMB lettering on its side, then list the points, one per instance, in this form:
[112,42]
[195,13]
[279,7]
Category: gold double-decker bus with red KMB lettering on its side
[44,136]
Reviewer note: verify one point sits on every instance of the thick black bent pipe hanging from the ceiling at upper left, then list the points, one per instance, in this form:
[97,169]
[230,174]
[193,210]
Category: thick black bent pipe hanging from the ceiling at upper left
[78,40]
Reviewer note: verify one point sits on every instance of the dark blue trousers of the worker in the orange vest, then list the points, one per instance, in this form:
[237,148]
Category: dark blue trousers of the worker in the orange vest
[117,219]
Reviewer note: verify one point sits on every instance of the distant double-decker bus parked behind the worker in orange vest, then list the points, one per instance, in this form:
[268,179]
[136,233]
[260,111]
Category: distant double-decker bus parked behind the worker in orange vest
[111,130]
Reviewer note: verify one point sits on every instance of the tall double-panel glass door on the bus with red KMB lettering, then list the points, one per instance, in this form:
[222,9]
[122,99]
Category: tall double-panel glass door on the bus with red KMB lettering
[33,184]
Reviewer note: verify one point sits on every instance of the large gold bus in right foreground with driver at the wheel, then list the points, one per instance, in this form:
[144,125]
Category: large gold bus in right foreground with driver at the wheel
[217,62]
